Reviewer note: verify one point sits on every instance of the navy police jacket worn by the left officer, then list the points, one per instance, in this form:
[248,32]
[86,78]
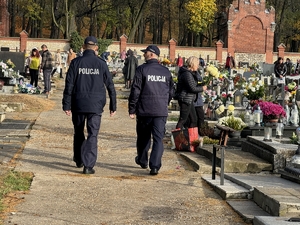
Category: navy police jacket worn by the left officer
[86,82]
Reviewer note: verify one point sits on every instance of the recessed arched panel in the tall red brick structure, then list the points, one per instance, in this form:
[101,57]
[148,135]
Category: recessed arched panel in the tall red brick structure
[250,36]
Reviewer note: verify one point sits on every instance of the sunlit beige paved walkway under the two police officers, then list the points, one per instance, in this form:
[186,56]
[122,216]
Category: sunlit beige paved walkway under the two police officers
[120,192]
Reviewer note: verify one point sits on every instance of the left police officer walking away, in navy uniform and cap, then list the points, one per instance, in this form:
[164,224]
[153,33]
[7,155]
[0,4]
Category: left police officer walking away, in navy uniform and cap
[85,96]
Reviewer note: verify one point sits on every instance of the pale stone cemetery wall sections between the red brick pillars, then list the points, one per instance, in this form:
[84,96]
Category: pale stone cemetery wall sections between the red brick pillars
[207,53]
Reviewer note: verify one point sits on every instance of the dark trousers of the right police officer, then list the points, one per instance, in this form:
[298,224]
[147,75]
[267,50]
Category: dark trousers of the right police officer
[145,127]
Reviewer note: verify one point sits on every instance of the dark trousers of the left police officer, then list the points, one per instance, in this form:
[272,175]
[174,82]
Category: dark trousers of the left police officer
[85,151]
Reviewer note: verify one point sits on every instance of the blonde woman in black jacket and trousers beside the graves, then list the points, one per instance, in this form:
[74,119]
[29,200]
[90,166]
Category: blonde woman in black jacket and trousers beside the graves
[187,90]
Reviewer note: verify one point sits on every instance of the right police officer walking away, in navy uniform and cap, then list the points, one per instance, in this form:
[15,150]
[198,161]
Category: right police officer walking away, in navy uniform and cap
[150,95]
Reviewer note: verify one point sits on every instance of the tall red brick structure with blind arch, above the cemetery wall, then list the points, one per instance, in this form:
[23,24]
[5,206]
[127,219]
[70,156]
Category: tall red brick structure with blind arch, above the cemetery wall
[250,28]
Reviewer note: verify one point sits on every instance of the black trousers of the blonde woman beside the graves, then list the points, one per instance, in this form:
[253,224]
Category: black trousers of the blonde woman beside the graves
[187,111]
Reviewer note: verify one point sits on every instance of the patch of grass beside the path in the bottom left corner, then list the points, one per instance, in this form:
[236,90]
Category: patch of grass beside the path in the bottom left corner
[10,182]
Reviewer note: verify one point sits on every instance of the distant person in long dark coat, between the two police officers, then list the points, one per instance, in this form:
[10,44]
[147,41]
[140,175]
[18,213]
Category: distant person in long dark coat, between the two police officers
[130,66]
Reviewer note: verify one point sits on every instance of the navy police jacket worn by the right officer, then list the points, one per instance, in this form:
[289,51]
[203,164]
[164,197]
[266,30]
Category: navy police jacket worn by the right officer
[151,90]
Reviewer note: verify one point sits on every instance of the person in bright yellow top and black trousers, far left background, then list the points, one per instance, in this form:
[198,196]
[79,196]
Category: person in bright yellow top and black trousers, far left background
[34,63]
